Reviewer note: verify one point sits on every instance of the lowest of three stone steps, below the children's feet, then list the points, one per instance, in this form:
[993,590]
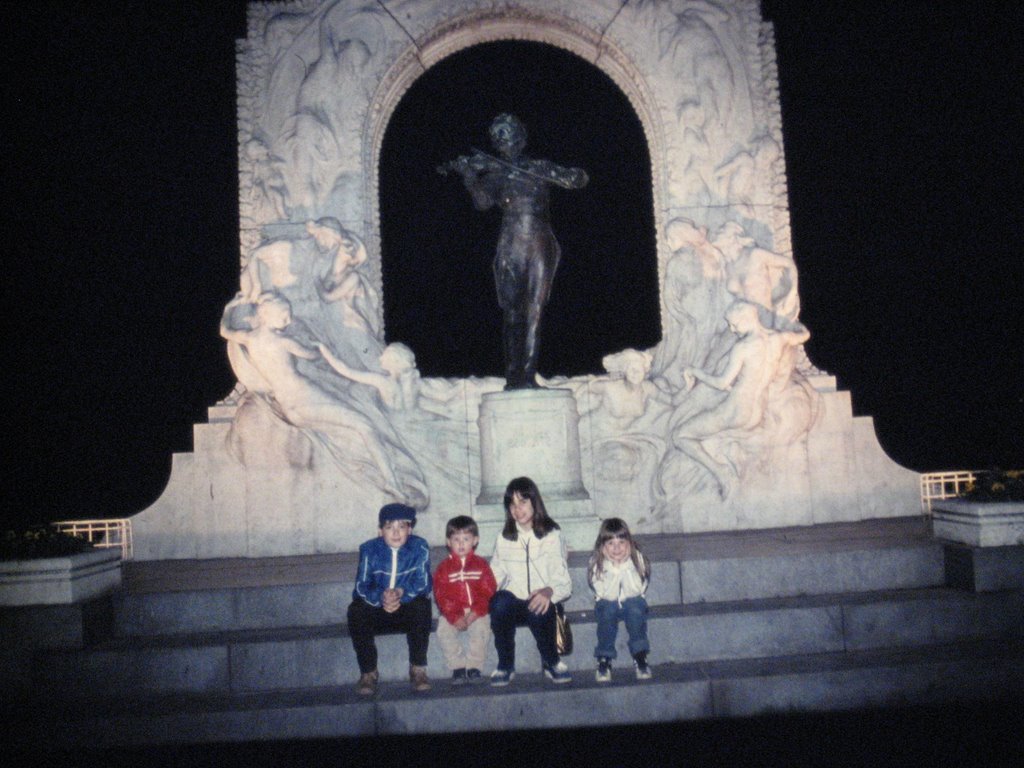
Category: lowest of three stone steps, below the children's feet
[964,672]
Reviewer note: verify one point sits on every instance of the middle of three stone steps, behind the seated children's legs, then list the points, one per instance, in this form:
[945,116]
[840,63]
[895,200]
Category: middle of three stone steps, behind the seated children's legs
[266,661]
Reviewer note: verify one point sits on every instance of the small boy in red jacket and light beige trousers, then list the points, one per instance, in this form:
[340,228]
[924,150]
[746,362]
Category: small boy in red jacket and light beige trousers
[463,586]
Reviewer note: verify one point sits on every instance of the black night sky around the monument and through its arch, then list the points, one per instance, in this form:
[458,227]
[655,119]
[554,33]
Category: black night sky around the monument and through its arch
[903,124]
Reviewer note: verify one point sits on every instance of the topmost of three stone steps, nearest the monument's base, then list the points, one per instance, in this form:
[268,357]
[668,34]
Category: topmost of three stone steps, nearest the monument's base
[686,570]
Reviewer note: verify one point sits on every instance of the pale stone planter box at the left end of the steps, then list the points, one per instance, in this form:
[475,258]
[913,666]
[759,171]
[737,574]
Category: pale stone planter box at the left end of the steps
[60,580]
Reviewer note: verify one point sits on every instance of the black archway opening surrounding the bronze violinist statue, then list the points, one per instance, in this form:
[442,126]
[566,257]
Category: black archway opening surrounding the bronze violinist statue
[438,249]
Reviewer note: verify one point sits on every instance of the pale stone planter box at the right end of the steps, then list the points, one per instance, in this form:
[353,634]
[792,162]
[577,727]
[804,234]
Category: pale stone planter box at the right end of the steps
[979,524]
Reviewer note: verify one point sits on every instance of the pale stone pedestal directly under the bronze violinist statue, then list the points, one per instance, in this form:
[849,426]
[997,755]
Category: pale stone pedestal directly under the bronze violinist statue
[534,434]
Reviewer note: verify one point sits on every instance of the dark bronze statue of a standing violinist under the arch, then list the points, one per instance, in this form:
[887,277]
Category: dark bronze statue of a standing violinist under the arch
[528,252]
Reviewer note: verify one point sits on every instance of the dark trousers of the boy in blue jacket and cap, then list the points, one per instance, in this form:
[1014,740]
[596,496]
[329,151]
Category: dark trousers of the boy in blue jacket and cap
[412,619]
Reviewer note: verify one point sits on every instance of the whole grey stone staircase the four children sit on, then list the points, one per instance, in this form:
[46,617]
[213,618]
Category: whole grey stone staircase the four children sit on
[819,619]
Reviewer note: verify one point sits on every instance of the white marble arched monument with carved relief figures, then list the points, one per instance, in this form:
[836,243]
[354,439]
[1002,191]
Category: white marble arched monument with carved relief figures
[723,425]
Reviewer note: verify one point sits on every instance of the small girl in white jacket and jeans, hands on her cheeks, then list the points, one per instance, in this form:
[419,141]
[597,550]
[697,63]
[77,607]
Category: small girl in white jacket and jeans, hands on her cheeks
[619,574]
